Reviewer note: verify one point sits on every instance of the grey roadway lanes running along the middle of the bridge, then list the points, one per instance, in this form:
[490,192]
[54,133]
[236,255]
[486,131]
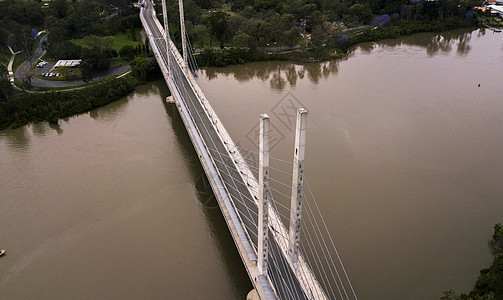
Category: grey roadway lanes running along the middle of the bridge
[279,273]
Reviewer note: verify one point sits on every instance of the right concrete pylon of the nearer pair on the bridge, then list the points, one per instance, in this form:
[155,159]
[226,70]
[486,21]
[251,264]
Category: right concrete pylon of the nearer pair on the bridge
[297,180]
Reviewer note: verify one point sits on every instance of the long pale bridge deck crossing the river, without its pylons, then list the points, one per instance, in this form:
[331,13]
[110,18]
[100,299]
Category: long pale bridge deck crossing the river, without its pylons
[223,165]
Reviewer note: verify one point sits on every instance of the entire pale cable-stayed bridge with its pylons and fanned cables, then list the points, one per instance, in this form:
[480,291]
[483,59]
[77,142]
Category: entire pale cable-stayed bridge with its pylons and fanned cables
[296,261]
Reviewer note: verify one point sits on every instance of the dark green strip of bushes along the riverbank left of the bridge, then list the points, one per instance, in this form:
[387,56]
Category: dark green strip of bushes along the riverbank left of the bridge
[51,106]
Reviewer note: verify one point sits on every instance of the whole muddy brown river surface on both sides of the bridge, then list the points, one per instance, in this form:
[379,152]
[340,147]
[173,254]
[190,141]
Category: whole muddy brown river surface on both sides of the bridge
[404,156]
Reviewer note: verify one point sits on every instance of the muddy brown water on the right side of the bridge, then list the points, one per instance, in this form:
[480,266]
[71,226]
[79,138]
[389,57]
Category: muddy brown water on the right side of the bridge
[404,152]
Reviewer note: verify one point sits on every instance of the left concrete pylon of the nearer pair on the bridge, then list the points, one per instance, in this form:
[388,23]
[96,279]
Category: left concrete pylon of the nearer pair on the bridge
[263,212]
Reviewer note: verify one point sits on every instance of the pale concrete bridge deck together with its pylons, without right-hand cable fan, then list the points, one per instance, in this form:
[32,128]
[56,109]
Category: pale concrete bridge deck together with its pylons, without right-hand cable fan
[271,252]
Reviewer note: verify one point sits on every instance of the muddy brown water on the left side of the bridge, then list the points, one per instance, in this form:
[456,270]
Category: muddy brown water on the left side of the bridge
[112,204]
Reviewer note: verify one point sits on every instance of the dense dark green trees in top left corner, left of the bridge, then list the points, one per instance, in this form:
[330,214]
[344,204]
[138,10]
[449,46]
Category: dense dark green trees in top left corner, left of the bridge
[88,19]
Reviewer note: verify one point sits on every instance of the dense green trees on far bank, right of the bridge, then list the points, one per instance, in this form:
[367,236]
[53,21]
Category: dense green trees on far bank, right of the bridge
[265,23]
